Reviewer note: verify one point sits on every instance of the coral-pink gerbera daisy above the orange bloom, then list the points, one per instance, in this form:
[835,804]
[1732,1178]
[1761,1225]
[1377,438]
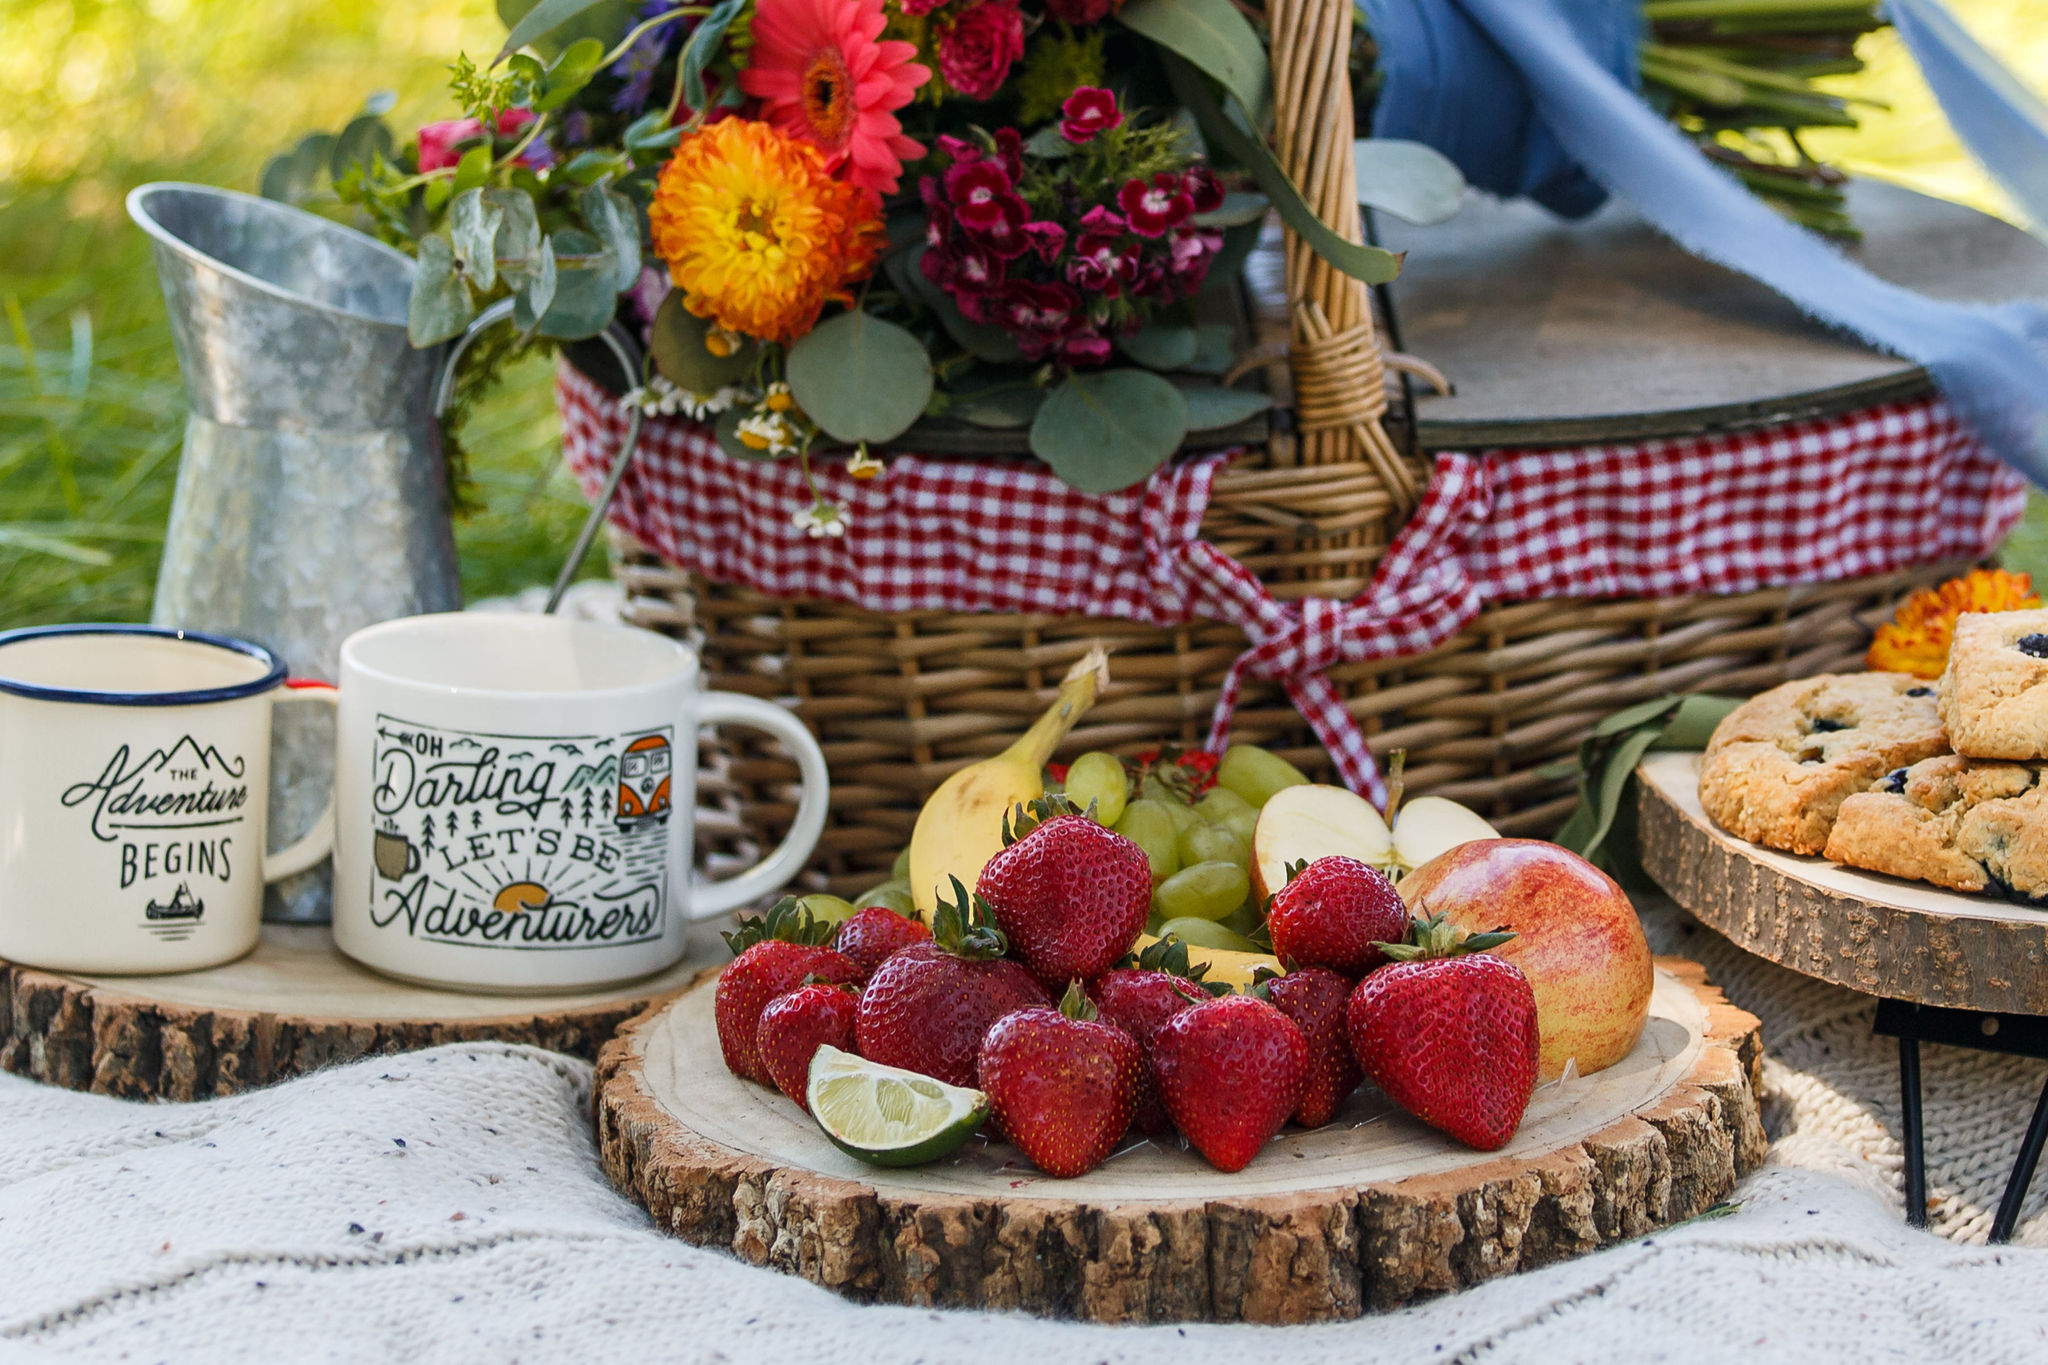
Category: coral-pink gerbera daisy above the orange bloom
[822,75]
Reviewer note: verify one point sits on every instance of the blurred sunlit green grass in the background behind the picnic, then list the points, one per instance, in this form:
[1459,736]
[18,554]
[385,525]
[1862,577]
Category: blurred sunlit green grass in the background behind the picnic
[112,93]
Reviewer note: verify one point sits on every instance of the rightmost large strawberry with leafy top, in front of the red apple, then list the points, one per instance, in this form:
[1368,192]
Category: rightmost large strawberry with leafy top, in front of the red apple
[1449,1032]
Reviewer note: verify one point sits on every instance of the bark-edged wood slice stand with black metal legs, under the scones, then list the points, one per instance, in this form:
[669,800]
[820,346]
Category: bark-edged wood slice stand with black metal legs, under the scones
[1951,969]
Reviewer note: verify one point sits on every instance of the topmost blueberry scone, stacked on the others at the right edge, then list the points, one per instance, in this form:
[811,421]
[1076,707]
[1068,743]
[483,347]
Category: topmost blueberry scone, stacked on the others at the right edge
[1996,691]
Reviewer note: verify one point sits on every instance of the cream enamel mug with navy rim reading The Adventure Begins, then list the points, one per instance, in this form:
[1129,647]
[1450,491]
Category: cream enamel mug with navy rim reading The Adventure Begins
[134,783]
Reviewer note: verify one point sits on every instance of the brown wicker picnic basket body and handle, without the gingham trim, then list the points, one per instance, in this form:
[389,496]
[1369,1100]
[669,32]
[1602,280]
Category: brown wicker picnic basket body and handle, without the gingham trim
[900,701]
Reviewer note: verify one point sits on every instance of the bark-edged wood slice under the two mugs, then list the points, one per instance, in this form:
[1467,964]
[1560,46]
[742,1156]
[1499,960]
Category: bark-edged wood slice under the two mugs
[288,1008]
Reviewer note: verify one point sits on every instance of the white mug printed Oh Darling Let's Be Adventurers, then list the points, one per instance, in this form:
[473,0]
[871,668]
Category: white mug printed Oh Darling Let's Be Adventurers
[515,801]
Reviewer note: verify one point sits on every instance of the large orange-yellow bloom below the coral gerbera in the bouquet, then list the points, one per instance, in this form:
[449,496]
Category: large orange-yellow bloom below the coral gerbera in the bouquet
[757,232]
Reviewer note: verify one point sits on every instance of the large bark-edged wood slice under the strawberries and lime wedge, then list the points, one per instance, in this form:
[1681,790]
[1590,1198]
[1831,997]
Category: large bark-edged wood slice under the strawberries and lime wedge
[1367,1213]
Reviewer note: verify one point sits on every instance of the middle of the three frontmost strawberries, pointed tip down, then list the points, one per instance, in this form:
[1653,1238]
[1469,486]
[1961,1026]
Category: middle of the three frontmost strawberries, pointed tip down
[1230,1073]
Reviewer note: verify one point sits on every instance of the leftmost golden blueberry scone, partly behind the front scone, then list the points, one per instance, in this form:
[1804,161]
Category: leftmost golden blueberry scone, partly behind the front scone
[1781,764]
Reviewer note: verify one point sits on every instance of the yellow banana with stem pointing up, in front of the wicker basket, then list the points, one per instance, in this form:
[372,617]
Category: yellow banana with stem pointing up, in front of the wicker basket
[962,828]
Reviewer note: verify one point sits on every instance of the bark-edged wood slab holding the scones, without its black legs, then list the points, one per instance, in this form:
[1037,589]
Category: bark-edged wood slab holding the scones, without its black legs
[1861,930]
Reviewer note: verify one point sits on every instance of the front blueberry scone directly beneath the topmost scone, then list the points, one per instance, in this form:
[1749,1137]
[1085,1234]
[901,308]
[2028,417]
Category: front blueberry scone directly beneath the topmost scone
[1953,822]
